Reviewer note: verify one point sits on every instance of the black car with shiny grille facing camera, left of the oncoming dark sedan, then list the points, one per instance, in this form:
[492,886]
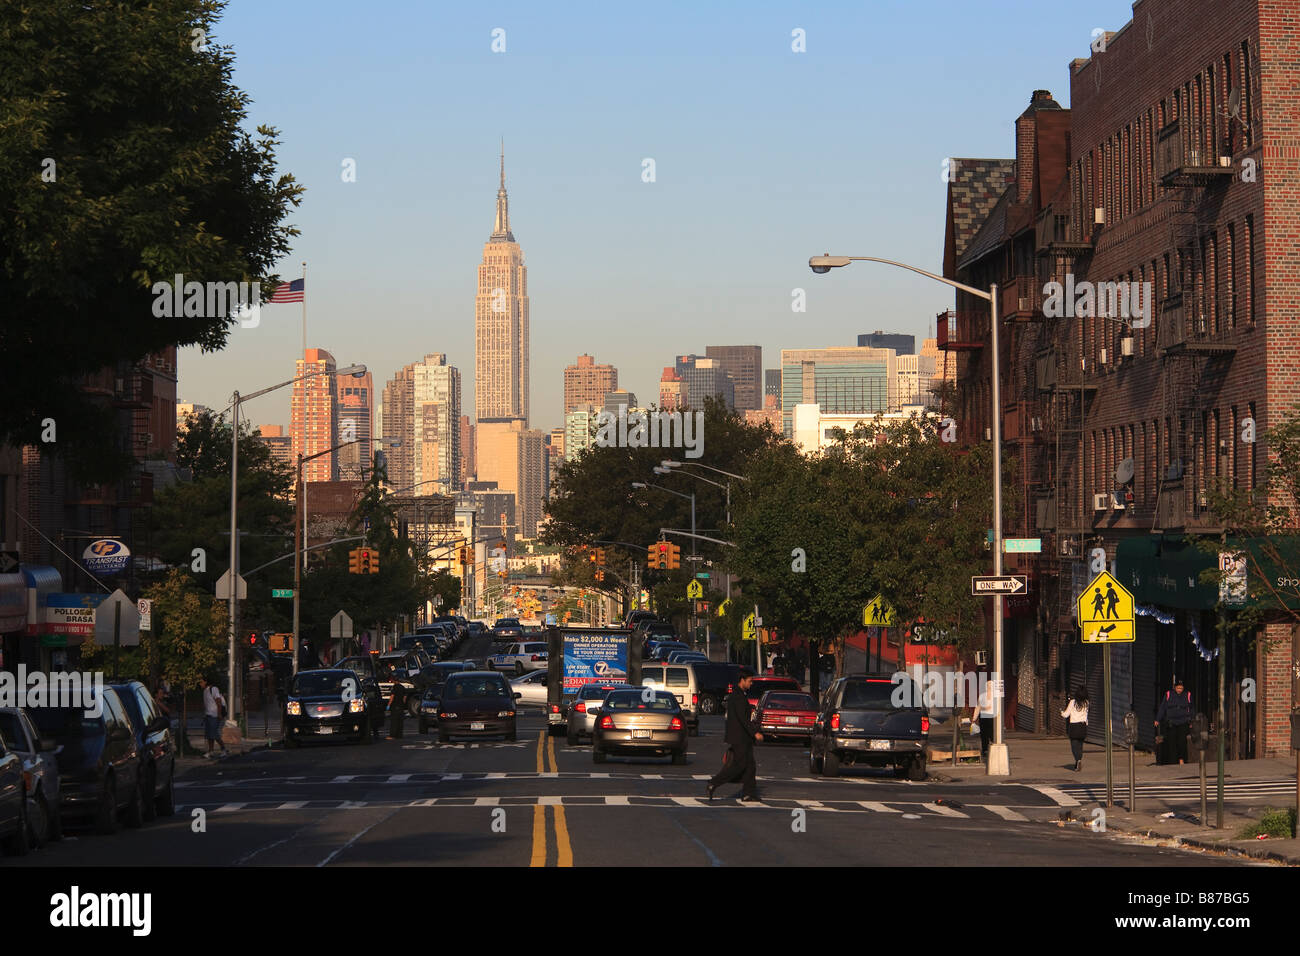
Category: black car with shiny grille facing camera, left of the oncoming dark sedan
[332,703]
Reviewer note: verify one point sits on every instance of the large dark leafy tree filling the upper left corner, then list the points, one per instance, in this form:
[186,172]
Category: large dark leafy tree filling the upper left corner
[124,163]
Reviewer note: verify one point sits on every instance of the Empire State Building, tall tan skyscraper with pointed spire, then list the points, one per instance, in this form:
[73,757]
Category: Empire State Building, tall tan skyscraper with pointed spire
[501,322]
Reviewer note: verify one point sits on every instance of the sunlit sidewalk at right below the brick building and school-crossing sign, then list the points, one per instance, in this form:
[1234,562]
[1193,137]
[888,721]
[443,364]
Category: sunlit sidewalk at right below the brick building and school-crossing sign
[1046,763]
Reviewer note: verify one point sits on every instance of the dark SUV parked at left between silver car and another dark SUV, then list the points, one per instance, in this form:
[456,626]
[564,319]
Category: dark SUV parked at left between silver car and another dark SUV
[99,765]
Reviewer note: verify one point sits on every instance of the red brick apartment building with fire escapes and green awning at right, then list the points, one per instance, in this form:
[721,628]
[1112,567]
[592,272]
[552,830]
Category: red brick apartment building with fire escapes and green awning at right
[1178,166]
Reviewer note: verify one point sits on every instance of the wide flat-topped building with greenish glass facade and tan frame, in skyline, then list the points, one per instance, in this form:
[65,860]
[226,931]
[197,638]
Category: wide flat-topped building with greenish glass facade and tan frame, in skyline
[843,380]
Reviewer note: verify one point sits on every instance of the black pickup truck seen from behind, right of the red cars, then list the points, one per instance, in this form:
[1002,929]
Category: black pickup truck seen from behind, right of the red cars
[859,724]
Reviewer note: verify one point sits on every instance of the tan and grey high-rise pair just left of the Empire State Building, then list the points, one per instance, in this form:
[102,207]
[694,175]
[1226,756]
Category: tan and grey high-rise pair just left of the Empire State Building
[422,410]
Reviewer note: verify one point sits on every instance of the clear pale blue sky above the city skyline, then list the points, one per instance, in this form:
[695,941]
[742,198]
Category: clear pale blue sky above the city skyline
[764,157]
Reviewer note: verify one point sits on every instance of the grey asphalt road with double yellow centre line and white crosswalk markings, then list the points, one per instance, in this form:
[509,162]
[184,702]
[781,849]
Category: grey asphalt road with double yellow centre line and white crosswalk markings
[539,802]
